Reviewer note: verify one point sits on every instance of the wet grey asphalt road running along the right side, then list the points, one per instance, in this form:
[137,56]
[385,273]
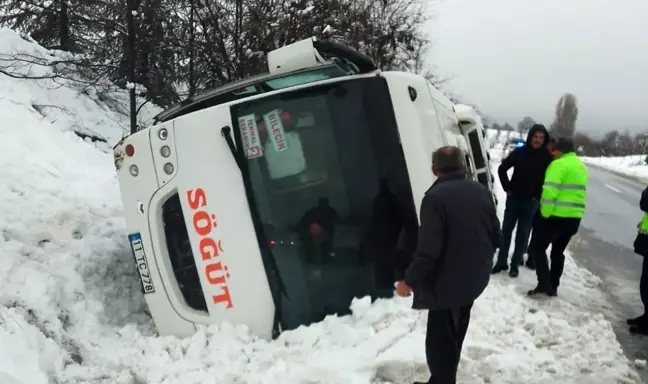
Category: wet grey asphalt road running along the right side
[604,246]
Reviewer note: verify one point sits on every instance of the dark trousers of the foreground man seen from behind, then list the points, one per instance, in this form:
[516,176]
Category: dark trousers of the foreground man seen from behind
[446,330]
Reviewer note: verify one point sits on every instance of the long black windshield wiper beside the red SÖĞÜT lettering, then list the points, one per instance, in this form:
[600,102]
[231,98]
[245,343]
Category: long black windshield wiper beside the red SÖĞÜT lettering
[277,286]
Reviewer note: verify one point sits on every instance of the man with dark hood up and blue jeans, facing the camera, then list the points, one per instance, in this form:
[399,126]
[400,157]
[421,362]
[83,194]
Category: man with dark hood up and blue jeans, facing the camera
[523,192]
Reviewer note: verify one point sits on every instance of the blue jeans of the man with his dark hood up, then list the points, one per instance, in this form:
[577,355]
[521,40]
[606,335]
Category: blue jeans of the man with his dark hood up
[520,211]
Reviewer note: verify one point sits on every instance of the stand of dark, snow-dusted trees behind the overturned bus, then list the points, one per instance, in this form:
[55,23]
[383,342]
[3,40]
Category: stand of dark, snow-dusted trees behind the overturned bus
[164,50]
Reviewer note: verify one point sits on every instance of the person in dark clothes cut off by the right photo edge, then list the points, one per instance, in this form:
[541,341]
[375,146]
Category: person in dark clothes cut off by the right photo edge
[639,325]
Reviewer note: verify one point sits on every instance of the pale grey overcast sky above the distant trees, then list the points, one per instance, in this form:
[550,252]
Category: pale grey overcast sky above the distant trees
[516,57]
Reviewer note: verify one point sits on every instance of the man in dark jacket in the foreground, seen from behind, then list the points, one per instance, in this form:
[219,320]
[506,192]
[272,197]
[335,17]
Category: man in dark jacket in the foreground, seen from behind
[458,234]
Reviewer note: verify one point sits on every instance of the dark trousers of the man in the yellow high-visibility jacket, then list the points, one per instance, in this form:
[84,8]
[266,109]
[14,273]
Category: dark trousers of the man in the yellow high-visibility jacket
[557,232]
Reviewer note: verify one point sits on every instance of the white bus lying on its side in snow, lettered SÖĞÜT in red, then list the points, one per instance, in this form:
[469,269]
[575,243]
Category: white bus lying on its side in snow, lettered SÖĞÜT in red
[273,201]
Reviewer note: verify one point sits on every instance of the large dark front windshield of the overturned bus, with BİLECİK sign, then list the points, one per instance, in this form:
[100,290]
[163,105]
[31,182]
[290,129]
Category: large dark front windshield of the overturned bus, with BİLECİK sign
[330,185]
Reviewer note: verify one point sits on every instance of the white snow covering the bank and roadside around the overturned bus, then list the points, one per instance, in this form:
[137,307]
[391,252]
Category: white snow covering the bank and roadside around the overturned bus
[71,310]
